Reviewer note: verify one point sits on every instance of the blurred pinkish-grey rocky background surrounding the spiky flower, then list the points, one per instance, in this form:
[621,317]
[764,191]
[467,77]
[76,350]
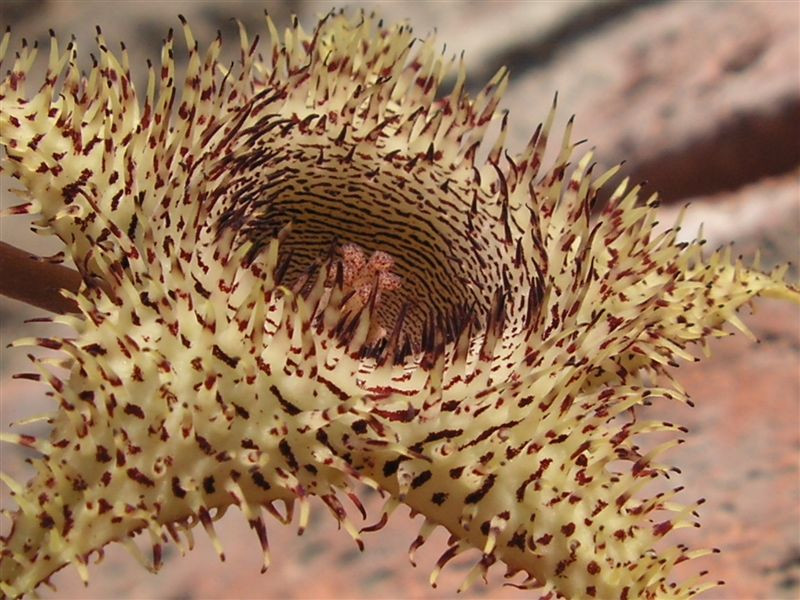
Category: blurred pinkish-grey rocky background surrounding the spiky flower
[703,101]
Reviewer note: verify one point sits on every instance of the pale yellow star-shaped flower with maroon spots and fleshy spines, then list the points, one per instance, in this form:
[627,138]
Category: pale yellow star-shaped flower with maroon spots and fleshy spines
[298,277]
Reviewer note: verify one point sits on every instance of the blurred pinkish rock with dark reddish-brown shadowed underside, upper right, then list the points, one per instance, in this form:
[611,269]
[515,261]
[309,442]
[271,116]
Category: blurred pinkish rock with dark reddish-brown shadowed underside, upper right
[697,96]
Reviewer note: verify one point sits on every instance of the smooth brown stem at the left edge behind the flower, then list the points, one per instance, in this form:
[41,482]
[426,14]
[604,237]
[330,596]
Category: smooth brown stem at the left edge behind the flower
[28,278]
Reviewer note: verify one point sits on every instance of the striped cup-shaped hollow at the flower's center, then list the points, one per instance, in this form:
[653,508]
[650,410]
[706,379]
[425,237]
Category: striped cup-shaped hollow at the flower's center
[392,215]
